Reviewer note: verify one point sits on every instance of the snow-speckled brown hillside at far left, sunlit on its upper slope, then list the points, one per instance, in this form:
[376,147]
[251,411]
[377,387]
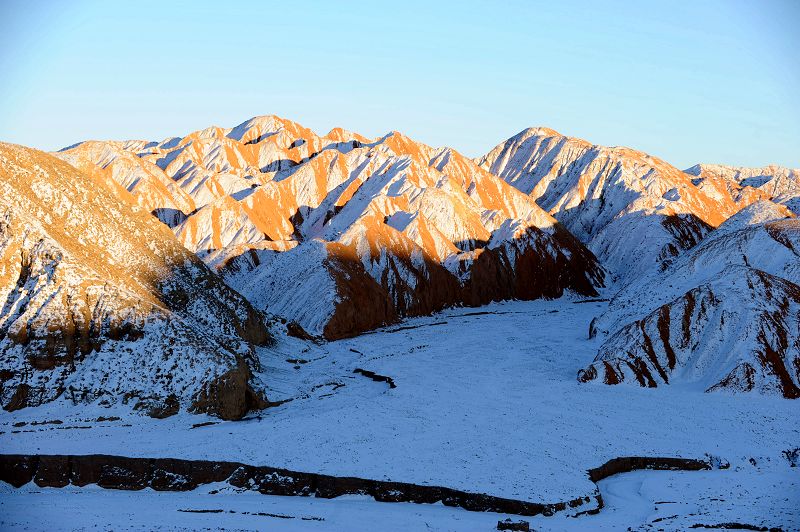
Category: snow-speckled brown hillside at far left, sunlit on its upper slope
[101,303]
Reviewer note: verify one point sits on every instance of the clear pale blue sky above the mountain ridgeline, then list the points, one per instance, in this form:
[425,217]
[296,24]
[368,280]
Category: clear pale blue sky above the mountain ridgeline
[687,81]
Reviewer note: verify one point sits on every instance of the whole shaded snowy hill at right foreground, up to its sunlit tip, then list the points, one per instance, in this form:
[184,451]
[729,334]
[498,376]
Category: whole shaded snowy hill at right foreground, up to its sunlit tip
[724,315]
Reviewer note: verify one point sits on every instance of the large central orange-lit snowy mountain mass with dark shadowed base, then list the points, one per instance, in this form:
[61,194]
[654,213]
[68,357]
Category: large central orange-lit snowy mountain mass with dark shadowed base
[341,233]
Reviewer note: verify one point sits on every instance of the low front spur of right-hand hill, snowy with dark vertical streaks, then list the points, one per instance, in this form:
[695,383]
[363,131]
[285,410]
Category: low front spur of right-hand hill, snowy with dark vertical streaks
[738,332]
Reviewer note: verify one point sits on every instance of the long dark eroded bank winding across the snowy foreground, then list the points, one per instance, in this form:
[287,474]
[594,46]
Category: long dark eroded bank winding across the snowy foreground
[172,474]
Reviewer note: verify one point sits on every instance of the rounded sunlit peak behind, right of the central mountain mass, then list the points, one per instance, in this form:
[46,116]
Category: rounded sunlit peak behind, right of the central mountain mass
[620,202]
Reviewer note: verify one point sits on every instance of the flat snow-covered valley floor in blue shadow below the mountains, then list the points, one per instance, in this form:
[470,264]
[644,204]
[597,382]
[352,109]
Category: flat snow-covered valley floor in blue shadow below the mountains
[485,400]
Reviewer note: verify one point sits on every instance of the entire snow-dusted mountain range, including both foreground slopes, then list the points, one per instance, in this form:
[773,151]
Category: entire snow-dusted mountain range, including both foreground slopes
[173,261]
